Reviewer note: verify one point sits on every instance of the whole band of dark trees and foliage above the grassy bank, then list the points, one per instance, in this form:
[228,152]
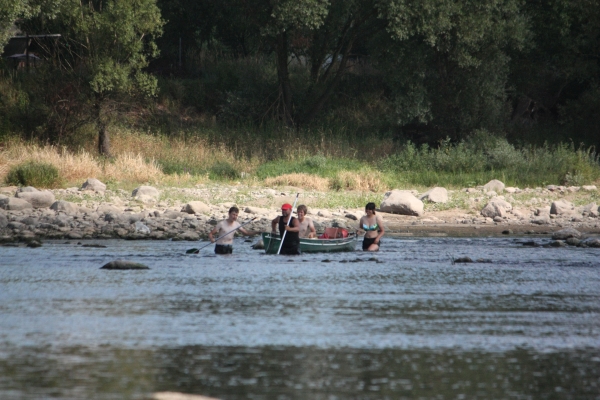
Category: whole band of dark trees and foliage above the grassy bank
[429,72]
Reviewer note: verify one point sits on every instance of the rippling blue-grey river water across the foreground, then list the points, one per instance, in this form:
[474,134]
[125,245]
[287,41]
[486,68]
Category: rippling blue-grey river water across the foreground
[404,323]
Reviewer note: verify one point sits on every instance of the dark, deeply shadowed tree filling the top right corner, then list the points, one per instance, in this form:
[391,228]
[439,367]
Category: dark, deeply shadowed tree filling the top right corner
[557,78]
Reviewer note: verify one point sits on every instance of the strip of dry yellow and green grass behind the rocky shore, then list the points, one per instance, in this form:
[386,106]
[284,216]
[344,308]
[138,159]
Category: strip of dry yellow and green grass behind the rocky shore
[315,160]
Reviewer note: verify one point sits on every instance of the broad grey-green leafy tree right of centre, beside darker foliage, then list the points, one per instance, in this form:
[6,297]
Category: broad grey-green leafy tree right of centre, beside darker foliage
[448,65]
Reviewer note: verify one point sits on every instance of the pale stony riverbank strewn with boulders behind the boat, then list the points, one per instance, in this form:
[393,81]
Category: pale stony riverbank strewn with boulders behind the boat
[92,211]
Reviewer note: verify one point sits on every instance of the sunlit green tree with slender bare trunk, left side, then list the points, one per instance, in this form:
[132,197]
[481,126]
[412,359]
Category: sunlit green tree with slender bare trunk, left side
[105,44]
